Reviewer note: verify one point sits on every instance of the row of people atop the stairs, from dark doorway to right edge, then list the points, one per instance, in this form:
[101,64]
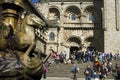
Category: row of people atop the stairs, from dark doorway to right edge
[86,56]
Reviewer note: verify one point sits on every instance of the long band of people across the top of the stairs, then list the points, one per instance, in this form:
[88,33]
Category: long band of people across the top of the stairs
[85,56]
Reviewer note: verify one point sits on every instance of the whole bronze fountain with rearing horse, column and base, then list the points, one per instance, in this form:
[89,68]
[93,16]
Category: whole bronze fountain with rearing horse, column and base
[17,41]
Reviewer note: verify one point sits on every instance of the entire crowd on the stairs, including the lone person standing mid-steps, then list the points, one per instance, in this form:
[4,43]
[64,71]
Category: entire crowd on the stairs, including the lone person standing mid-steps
[101,67]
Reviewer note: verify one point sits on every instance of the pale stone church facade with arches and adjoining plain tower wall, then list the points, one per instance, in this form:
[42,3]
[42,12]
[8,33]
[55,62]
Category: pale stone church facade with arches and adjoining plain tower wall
[81,25]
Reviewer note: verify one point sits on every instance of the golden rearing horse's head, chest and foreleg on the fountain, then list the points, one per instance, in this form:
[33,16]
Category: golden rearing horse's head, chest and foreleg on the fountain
[27,34]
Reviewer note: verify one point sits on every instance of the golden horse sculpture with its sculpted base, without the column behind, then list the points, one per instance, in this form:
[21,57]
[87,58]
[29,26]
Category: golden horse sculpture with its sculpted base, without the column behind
[24,39]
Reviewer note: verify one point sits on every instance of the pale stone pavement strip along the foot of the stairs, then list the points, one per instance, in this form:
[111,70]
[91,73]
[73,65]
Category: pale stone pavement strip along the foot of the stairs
[64,78]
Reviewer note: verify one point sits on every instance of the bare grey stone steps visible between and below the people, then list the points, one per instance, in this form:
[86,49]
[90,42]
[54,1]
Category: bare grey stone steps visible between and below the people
[64,70]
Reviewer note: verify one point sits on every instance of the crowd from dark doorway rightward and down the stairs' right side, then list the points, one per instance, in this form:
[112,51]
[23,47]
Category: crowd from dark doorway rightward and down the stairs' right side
[102,64]
